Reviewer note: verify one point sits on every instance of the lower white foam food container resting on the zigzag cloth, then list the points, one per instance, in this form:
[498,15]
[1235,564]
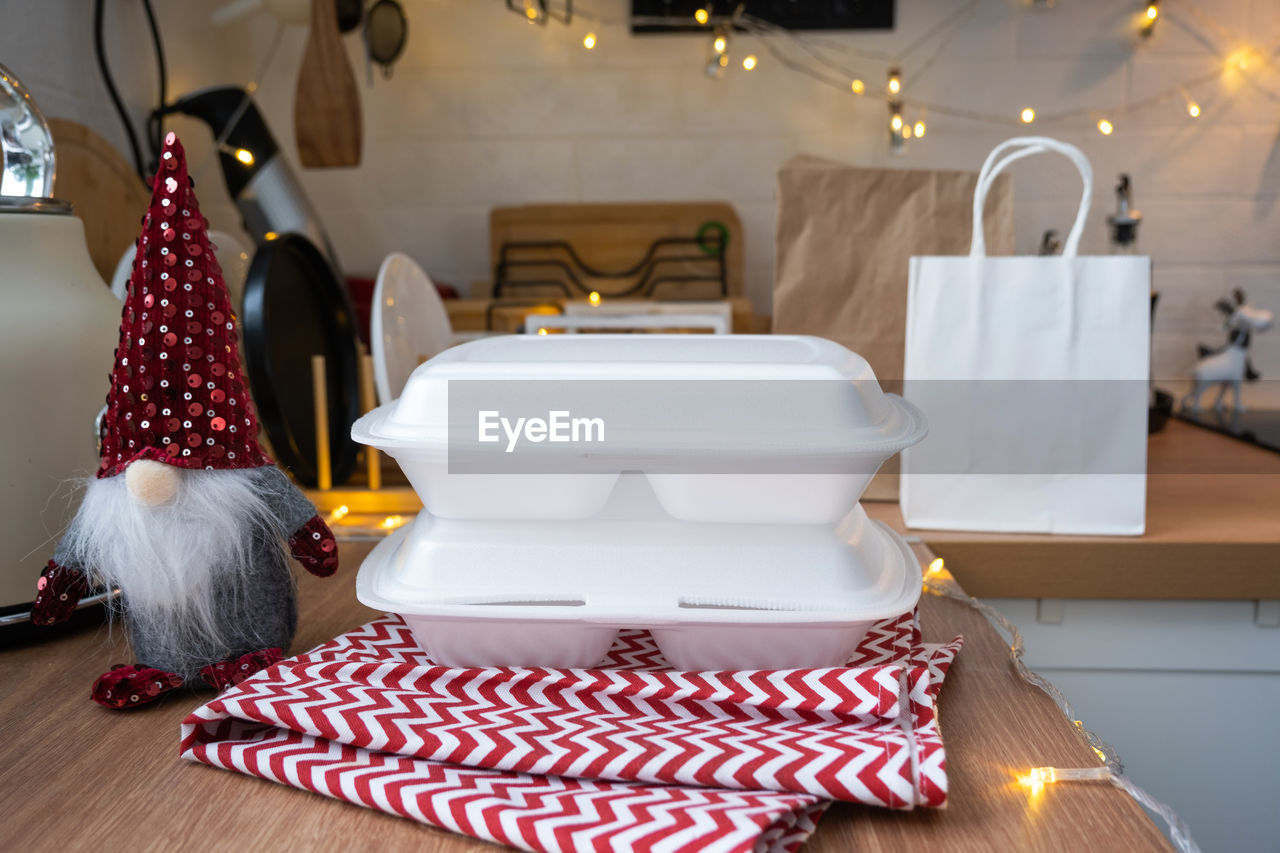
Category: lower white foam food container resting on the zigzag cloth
[715,596]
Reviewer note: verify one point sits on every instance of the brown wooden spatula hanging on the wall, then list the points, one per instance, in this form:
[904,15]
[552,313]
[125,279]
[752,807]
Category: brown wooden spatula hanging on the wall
[327,107]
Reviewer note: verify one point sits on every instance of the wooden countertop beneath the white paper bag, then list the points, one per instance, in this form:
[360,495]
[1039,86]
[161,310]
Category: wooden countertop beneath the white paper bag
[1213,532]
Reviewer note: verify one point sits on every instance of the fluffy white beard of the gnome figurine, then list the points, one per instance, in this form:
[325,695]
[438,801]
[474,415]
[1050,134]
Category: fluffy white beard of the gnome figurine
[166,559]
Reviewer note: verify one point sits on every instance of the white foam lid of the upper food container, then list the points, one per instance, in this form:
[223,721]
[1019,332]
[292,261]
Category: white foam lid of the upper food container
[660,395]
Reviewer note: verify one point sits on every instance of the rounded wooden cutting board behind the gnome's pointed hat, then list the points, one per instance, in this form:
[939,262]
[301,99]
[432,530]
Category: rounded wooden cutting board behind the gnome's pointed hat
[103,189]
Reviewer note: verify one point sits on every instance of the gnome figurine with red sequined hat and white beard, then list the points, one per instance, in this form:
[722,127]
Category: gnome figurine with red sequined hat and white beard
[188,516]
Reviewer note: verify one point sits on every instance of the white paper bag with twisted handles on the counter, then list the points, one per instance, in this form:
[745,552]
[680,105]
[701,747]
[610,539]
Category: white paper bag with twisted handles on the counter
[1034,373]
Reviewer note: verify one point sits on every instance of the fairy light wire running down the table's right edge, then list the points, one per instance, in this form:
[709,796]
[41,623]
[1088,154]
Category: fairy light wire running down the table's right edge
[940,582]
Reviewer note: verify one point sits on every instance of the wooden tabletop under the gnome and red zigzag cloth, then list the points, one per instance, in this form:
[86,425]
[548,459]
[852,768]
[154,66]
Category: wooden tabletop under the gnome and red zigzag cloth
[77,777]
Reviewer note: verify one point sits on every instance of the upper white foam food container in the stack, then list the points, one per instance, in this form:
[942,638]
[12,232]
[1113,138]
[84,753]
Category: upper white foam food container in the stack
[860,428]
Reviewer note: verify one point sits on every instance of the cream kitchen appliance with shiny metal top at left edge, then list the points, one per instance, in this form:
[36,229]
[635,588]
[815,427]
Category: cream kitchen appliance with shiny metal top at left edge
[58,336]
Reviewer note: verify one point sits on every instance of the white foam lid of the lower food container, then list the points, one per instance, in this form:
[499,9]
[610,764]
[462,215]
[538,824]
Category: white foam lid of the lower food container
[643,572]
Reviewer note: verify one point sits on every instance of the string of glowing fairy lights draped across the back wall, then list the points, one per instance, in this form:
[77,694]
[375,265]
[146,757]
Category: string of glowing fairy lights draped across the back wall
[839,65]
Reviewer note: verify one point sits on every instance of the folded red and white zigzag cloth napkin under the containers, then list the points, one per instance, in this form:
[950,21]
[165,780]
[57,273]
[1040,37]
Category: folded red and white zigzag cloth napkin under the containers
[630,756]
